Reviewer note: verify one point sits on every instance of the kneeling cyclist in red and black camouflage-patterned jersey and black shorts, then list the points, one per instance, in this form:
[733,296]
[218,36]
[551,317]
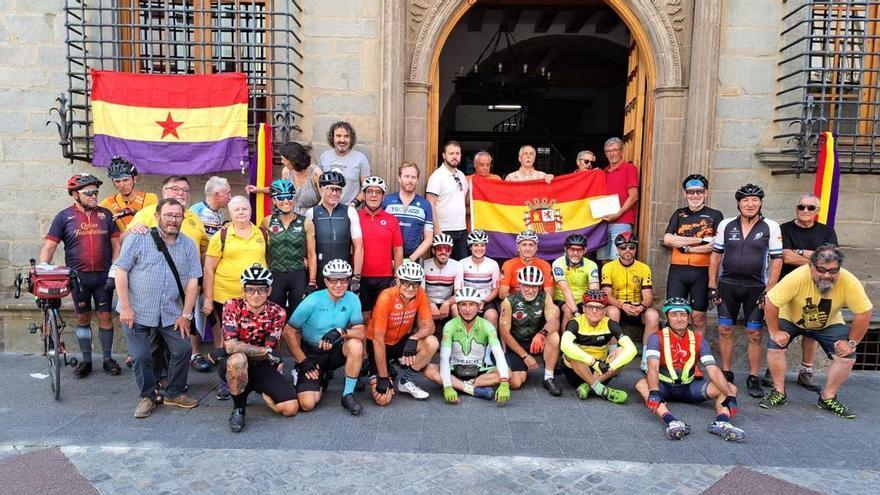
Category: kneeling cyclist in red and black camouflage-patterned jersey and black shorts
[251,328]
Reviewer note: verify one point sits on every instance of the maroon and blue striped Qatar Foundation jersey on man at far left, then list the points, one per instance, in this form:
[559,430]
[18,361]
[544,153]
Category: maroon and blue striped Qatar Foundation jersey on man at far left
[86,236]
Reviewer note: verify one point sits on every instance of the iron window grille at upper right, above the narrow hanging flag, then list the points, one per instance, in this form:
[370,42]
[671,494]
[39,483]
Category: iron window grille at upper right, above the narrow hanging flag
[830,59]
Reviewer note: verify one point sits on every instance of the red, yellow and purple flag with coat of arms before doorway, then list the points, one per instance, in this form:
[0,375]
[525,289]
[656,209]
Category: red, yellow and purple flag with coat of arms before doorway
[554,211]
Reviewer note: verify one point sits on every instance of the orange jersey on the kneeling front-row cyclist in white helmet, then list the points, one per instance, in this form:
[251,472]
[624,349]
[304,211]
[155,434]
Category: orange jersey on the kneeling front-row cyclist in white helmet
[396,315]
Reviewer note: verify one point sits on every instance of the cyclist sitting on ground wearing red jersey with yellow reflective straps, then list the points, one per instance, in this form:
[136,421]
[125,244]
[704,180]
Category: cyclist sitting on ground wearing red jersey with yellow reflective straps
[678,348]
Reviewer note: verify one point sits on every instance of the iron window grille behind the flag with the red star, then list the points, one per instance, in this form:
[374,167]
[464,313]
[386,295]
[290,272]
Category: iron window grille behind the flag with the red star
[257,37]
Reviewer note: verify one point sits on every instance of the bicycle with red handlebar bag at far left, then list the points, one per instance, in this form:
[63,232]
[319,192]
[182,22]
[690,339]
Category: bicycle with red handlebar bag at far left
[49,286]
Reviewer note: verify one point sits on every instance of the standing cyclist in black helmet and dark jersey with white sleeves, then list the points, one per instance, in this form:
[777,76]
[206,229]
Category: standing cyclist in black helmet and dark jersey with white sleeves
[744,248]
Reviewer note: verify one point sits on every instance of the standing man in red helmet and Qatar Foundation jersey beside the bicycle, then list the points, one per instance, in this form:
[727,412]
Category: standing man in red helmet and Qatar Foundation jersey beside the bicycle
[91,242]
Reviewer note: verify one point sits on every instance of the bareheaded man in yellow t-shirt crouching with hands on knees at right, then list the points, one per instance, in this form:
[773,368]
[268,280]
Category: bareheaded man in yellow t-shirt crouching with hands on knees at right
[808,302]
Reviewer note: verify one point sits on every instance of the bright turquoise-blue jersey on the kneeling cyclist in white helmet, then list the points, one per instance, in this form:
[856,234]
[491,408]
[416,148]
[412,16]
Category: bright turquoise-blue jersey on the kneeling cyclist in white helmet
[318,314]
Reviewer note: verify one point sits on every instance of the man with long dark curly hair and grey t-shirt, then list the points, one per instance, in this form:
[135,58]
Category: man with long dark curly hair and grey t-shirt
[343,158]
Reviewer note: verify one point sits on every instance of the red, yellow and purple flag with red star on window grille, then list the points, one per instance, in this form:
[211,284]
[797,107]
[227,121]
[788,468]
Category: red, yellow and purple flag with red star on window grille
[171,124]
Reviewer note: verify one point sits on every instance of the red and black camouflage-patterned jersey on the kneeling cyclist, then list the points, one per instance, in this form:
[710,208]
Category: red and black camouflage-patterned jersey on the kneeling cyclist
[261,329]
